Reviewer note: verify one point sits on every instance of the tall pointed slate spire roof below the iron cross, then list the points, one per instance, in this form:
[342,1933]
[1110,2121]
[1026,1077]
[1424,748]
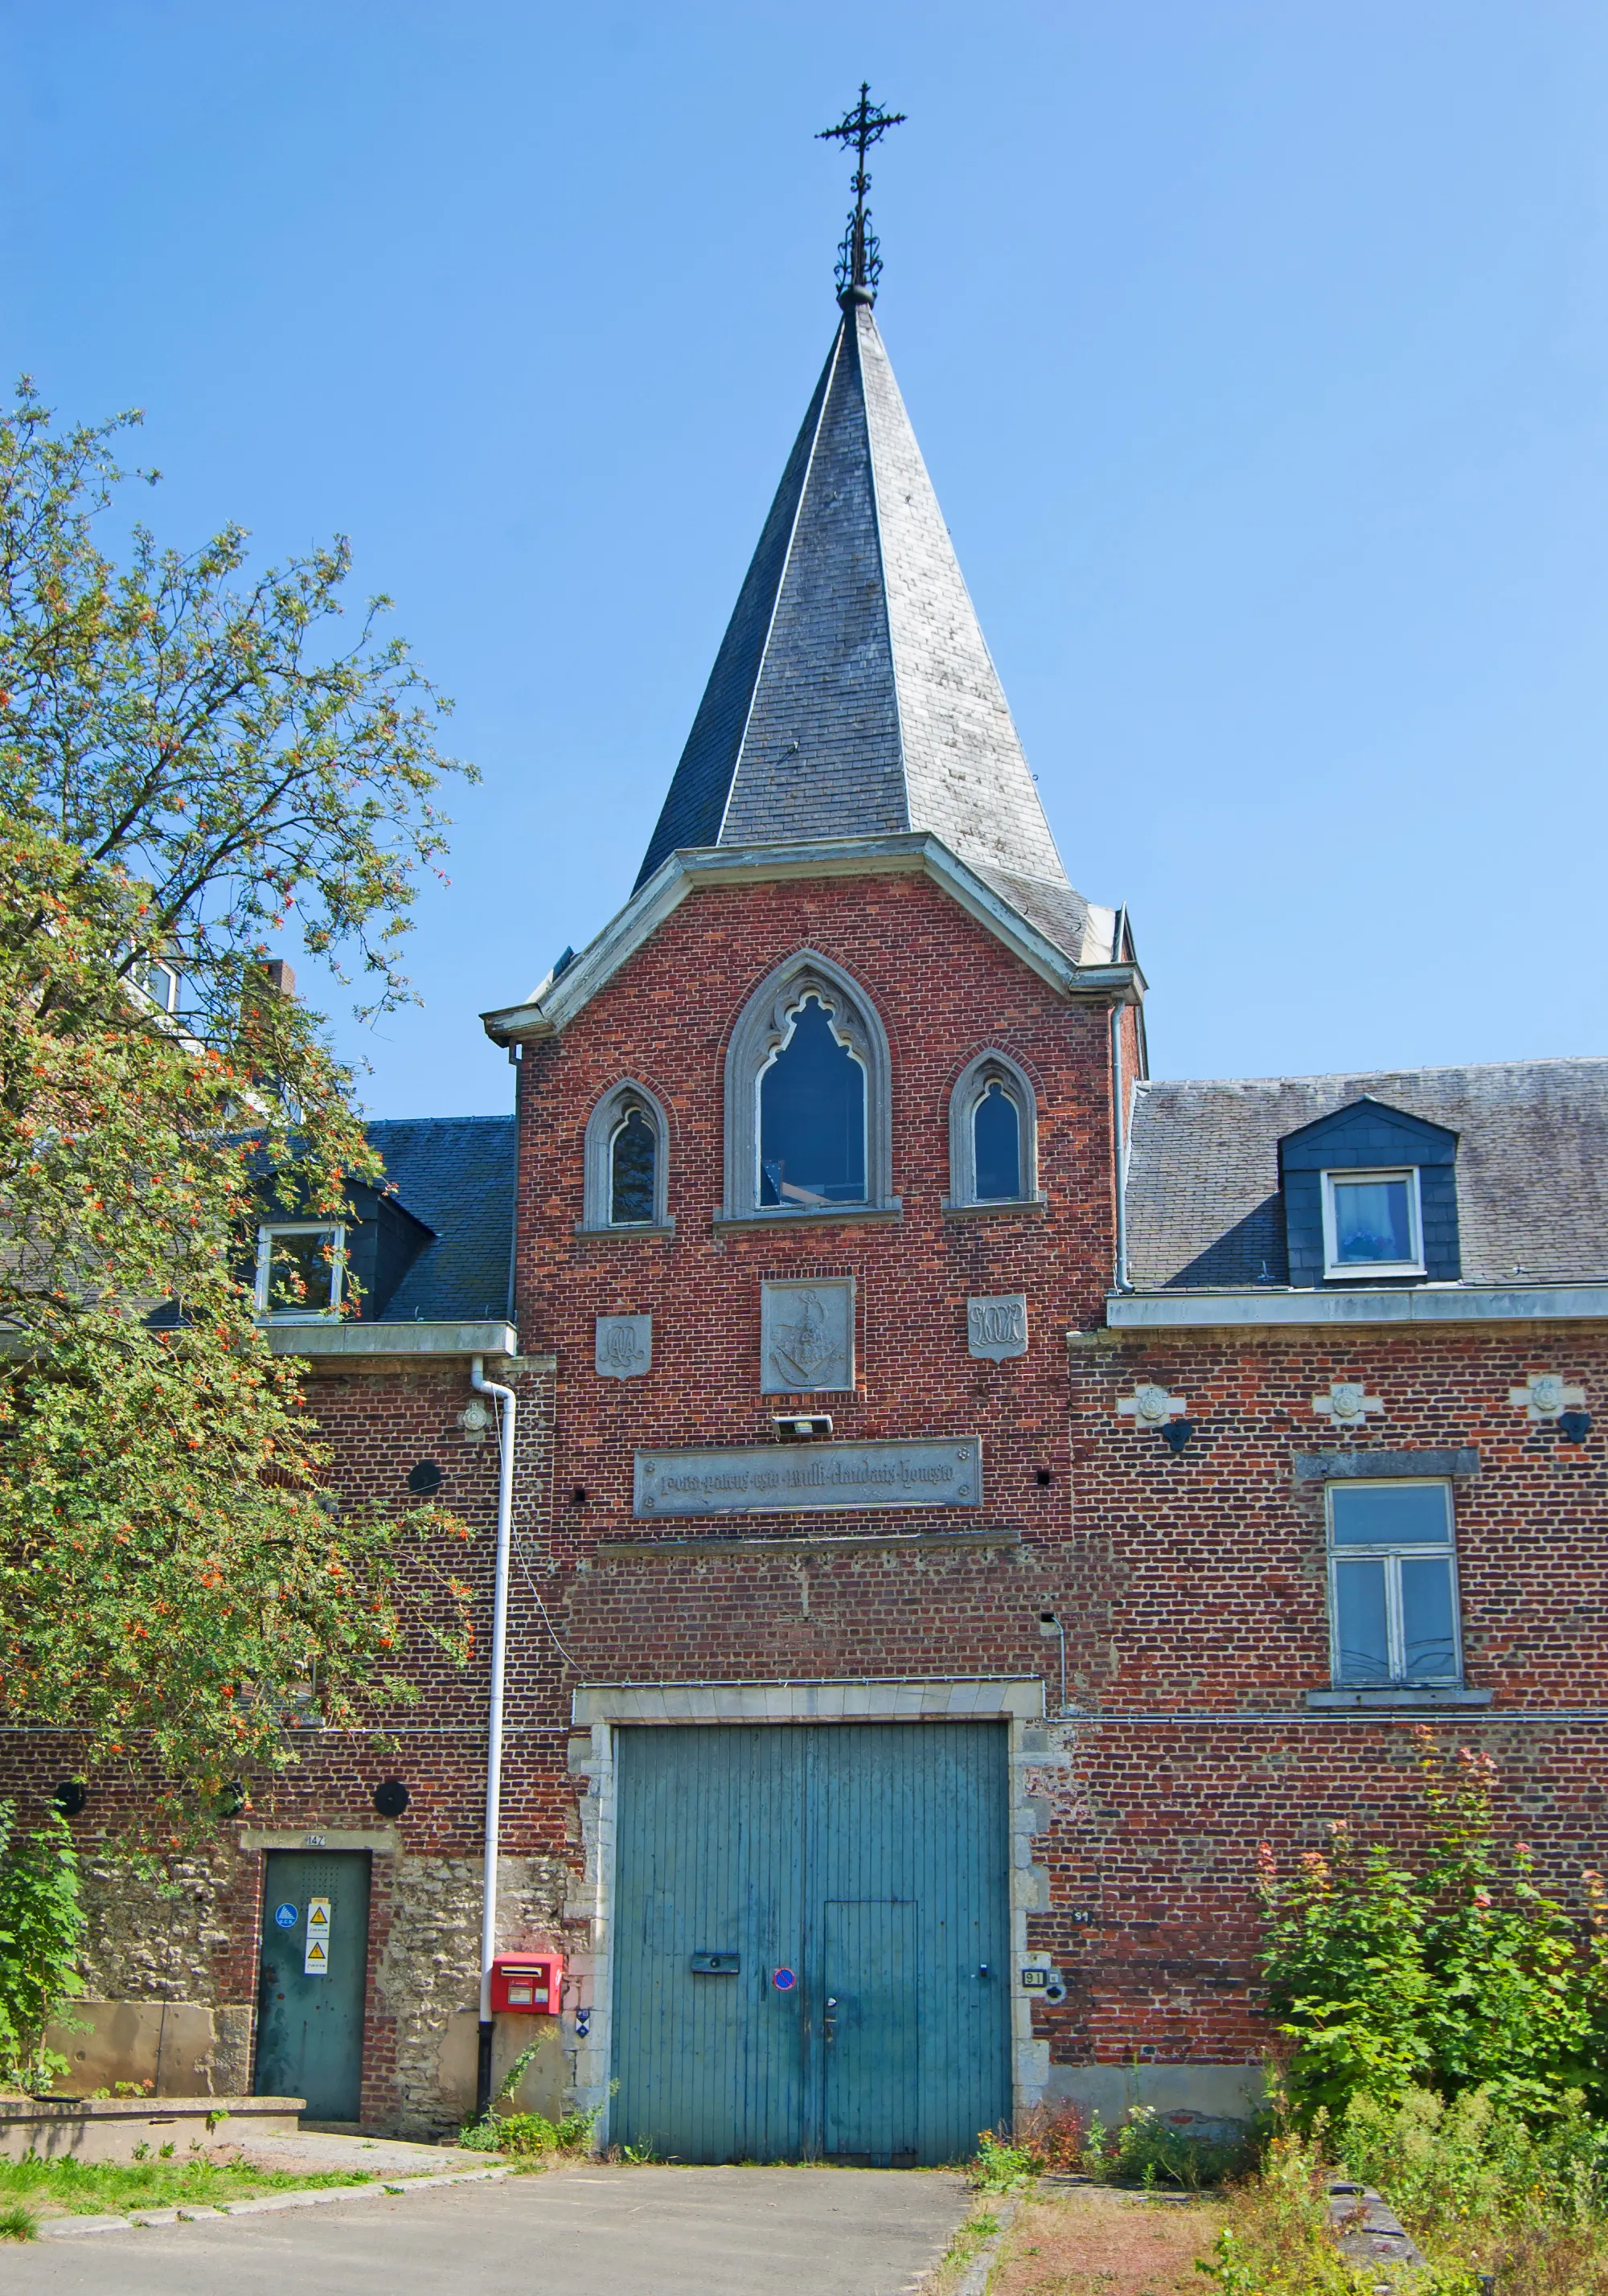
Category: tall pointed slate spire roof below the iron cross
[853,692]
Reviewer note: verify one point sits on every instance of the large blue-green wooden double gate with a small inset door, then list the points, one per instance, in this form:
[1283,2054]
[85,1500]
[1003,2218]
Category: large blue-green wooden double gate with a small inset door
[812,1941]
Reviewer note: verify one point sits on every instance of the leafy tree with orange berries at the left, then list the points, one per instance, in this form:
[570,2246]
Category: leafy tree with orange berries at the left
[185,761]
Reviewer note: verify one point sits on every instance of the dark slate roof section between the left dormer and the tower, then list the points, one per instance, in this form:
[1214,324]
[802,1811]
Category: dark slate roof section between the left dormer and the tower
[458,1177]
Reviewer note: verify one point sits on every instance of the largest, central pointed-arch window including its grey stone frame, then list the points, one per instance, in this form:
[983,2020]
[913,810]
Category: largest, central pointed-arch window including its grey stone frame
[807,1099]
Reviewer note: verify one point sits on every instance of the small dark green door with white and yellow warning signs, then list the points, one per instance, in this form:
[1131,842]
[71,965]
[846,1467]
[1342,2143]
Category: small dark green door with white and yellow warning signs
[314,1980]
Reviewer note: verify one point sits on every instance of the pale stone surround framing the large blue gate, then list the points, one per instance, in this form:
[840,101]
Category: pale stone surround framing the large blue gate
[603,1709]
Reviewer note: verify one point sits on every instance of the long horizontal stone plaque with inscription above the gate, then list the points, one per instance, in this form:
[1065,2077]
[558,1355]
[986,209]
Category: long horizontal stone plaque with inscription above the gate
[810,1477]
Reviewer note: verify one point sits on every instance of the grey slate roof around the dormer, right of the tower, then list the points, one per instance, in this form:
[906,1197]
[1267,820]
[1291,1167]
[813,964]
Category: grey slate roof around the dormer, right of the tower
[1531,1170]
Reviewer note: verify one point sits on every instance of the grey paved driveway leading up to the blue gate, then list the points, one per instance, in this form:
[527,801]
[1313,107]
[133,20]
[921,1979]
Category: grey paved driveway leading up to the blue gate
[575,2233]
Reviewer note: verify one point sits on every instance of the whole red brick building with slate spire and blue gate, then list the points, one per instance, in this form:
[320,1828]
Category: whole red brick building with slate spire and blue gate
[964,1494]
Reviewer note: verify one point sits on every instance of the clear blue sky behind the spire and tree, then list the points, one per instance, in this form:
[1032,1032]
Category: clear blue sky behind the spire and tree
[1260,355]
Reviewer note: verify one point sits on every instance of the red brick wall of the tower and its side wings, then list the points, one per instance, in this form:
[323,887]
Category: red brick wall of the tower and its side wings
[1191,1585]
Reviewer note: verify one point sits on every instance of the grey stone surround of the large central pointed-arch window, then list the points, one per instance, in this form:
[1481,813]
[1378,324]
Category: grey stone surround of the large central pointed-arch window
[762,1027]
